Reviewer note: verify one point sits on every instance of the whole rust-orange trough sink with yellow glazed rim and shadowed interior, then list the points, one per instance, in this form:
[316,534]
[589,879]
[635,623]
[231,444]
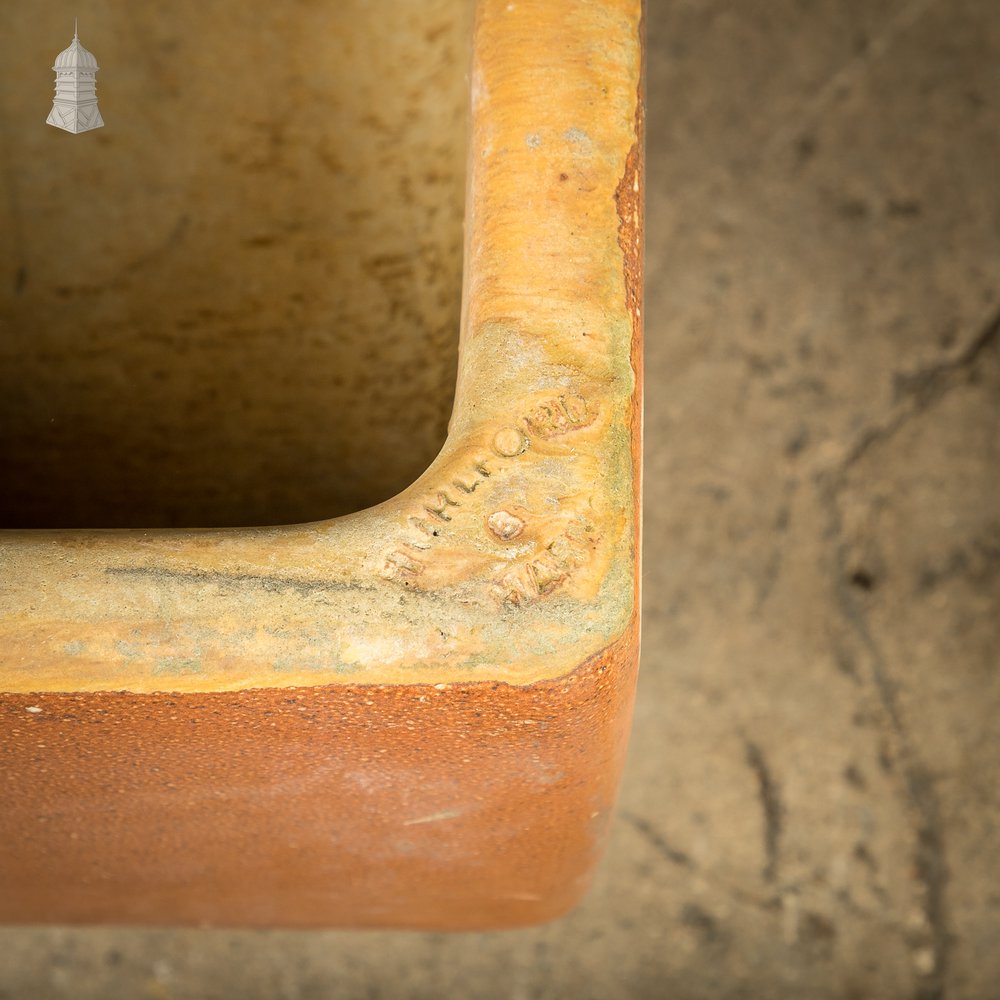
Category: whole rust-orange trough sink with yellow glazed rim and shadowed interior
[237,304]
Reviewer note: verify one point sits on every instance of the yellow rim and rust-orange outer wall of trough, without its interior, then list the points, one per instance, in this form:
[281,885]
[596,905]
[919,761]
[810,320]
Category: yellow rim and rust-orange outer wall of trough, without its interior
[409,716]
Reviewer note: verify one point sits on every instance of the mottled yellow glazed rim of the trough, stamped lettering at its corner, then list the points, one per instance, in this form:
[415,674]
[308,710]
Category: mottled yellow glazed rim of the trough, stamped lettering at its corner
[514,557]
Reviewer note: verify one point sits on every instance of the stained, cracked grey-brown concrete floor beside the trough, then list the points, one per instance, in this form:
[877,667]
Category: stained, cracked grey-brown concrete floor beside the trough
[812,799]
